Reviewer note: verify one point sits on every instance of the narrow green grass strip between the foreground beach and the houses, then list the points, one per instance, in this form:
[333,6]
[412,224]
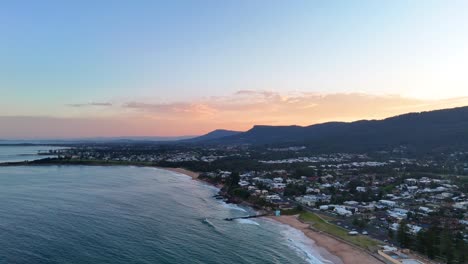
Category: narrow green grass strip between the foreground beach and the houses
[320,224]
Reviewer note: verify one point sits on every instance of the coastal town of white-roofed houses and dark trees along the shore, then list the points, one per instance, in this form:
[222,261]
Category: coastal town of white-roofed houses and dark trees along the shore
[396,205]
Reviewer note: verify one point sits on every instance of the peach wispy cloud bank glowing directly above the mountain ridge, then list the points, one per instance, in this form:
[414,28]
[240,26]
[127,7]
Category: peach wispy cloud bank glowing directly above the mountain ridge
[268,107]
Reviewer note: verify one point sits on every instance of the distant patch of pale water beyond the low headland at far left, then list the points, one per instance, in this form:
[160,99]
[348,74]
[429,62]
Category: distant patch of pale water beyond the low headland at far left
[22,153]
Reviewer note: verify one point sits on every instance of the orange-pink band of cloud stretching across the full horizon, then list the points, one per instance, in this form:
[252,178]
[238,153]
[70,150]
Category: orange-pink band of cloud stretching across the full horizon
[239,111]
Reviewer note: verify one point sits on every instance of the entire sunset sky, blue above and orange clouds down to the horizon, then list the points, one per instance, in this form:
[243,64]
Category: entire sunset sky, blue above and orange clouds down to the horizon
[169,68]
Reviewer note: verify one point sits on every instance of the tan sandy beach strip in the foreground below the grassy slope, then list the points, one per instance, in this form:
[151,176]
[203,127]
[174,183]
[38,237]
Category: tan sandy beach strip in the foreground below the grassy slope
[347,254]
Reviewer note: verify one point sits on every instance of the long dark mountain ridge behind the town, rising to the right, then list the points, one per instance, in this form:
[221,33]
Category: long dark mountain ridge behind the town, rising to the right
[425,131]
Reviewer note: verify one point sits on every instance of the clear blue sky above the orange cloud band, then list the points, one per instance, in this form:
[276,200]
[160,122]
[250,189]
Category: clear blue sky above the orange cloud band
[57,53]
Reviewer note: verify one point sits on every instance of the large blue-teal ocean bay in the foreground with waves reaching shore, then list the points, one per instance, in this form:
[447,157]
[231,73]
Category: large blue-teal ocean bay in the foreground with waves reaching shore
[80,214]
